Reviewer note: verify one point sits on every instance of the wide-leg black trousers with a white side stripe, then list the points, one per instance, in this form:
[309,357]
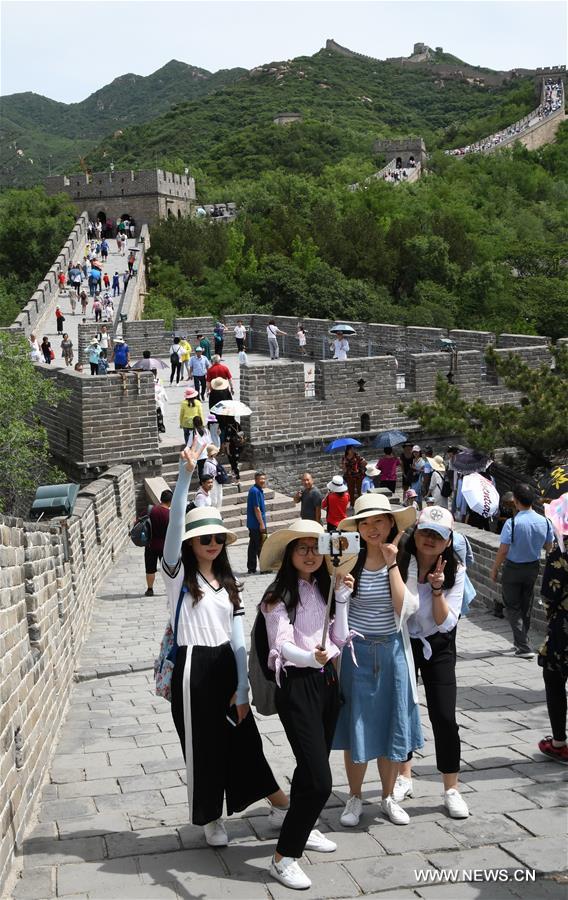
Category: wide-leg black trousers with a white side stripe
[227,761]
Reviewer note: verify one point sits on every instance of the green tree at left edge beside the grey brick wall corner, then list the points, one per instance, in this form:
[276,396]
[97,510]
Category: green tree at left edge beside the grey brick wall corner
[24,450]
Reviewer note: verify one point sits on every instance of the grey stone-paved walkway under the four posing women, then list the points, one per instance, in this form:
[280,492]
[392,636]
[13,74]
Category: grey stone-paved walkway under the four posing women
[112,822]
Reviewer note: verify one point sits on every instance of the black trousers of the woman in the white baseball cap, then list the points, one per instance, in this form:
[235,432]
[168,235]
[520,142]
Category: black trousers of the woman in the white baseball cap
[439,680]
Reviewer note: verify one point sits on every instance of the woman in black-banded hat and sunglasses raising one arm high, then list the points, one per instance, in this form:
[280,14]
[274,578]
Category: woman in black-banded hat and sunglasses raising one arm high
[219,738]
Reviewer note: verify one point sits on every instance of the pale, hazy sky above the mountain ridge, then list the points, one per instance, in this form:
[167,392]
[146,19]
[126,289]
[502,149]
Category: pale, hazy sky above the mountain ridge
[67,50]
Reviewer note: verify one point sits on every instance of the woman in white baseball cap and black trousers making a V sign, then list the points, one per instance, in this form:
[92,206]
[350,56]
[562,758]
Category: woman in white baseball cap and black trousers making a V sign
[428,552]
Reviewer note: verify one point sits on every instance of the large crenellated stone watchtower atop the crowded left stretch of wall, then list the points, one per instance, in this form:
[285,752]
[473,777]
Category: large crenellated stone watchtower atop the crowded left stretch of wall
[144,196]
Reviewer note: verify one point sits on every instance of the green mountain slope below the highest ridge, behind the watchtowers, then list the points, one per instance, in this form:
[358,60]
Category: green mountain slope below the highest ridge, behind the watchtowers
[346,103]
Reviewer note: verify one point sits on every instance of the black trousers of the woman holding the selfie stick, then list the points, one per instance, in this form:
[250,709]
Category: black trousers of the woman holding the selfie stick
[308,707]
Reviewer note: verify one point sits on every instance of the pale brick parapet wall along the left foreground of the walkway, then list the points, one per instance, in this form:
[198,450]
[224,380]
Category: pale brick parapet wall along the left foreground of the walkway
[48,579]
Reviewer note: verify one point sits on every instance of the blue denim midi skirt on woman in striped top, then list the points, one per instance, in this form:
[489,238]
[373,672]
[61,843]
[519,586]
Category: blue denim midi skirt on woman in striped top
[378,716]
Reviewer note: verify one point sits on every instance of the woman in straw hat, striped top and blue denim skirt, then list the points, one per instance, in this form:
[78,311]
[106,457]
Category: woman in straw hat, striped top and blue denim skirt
[380,717]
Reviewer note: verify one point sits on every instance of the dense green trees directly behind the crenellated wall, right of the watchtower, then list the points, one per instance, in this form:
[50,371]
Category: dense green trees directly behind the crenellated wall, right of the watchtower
[479,243]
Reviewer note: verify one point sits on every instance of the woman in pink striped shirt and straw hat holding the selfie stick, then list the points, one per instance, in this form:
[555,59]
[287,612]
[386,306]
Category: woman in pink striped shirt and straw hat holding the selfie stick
[307,696]
